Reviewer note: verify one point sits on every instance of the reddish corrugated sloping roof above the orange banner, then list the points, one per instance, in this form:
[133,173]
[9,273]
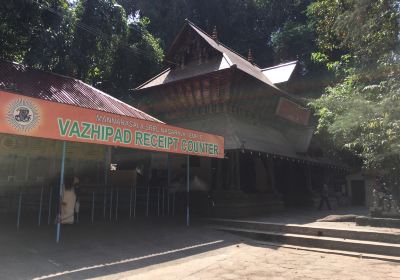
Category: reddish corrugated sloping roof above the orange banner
[61,89]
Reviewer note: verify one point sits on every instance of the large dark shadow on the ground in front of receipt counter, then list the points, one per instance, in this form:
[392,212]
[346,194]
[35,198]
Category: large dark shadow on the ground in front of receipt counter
[88,250]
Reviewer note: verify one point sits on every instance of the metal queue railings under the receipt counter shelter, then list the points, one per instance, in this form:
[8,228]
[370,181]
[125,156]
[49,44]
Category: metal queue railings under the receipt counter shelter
[43,202]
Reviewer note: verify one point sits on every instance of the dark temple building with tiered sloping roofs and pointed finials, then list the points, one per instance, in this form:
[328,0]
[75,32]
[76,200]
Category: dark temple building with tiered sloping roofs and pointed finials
[211,88]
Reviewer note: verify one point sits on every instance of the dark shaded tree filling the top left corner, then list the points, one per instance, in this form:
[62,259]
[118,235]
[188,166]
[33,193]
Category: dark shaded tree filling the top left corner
[37,33]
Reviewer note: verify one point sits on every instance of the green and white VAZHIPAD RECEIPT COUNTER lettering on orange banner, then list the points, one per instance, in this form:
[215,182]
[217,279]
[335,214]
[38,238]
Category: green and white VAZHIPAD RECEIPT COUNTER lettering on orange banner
[130,137]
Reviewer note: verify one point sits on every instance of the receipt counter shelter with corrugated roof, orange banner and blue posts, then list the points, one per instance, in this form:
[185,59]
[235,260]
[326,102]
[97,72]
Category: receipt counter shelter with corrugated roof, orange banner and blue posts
[125,159]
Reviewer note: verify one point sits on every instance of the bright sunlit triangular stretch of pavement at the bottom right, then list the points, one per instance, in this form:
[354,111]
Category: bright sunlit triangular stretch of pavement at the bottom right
[250,261]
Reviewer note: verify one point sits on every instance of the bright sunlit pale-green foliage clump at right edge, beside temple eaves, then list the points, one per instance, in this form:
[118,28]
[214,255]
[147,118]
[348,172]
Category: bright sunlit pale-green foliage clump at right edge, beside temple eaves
[364,119]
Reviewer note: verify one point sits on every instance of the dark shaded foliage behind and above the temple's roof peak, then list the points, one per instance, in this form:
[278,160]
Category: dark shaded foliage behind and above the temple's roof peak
[241,24]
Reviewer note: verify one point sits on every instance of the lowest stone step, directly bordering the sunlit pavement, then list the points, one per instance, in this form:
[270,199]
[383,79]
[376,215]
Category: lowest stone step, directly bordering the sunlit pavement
[359,246]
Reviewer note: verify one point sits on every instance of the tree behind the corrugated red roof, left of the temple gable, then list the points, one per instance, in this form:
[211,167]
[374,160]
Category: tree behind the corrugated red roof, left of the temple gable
[110,51]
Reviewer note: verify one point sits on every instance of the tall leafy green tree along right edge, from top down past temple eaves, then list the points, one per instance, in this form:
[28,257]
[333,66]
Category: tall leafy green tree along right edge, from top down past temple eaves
[358,40]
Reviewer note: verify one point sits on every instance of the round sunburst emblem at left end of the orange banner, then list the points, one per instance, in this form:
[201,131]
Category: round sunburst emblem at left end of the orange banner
[23,115]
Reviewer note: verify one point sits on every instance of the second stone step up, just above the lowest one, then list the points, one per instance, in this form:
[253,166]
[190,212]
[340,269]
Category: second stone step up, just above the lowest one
[356,234]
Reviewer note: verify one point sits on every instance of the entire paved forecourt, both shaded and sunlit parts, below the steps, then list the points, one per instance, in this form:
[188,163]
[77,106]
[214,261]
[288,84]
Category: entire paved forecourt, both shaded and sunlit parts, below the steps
[157,249]
